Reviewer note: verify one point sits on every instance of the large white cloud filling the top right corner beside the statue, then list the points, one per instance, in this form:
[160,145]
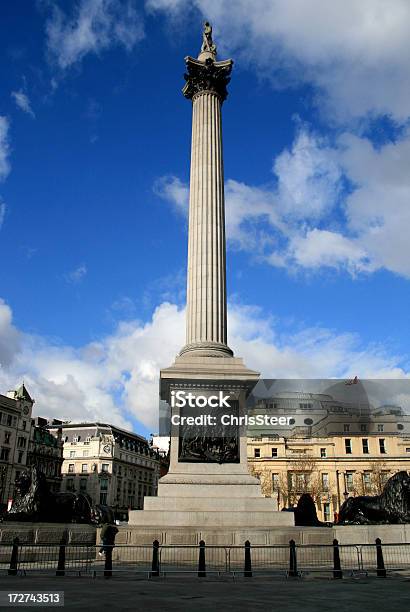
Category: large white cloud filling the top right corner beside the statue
[356,53]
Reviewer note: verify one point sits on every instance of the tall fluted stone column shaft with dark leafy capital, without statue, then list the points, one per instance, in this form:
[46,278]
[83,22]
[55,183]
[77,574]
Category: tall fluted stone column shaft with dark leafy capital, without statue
[206,331]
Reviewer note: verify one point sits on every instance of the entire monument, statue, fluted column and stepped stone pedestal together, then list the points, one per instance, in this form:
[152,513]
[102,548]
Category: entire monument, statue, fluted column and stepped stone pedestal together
[208,491]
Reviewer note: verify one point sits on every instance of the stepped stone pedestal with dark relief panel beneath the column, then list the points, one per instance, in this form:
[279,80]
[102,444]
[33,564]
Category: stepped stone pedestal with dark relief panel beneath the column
[197,495]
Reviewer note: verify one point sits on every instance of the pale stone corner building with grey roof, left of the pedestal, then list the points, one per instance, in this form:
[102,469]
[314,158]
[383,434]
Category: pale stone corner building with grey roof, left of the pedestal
[115,467]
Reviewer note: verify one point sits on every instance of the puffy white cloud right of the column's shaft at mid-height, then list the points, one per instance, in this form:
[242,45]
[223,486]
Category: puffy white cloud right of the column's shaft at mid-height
[306,219]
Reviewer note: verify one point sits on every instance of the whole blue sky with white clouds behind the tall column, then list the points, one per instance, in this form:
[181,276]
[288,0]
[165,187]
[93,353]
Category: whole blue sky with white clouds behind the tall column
[94,171]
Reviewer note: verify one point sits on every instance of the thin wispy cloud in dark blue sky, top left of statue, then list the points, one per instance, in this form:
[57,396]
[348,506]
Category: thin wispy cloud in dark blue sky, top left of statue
[92,27]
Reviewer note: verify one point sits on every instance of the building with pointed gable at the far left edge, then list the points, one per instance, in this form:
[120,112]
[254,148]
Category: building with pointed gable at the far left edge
[15,431]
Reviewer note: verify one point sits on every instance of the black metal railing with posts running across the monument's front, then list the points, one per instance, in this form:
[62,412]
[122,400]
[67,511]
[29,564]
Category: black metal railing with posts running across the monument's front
[292,560]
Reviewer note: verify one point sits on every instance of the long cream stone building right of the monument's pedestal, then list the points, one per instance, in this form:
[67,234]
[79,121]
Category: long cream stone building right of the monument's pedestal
[332,450]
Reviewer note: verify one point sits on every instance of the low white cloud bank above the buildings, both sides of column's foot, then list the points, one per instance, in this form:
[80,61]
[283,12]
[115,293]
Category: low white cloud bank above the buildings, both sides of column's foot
[117,376]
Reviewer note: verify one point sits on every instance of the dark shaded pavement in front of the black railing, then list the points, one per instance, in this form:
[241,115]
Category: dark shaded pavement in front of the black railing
[307,594]
